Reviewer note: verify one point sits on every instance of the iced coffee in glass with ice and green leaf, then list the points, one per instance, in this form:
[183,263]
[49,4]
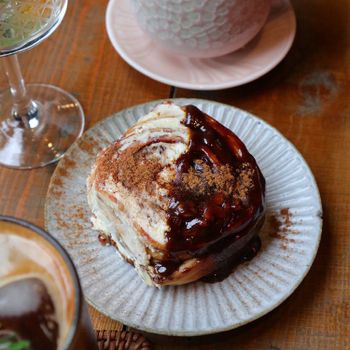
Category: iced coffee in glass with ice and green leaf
[41,302]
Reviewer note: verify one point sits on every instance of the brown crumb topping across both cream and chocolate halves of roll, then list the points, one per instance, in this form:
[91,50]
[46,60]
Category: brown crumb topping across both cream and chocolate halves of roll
[137,171]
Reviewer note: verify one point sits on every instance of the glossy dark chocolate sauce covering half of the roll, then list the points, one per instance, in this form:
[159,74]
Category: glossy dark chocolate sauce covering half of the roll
[213,223]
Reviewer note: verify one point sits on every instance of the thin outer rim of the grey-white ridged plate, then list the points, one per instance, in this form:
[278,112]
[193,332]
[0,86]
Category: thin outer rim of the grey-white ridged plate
[255,316]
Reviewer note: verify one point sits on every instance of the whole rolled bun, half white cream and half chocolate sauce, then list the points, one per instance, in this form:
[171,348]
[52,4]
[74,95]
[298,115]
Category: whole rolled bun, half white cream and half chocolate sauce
[179,196]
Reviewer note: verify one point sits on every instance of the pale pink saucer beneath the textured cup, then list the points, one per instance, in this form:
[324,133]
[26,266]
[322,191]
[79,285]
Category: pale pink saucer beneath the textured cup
[257,58]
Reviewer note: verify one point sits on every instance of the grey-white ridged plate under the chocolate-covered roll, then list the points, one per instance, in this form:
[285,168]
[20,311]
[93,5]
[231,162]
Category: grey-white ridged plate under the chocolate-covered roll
[290,237]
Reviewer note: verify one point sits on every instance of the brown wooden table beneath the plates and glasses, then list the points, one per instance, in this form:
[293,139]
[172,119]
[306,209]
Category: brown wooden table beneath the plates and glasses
[306,97]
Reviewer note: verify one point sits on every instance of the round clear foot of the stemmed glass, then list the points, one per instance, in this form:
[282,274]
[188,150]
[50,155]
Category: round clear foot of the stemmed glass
[59,122]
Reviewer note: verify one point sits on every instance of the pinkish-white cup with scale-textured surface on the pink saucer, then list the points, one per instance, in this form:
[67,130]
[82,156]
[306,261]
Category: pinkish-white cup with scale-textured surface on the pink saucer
[201,28]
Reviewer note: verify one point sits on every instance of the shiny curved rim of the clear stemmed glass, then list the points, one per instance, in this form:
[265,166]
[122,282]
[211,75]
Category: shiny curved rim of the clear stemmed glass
[38,37]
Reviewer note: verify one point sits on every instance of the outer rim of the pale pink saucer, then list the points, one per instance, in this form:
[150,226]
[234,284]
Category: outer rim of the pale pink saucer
[193,86]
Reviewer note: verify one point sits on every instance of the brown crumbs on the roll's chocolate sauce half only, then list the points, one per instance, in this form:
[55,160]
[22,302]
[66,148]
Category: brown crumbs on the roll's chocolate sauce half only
[202,179]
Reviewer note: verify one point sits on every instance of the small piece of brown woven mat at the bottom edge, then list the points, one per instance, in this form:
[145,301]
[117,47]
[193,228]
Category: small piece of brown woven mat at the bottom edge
[121,340]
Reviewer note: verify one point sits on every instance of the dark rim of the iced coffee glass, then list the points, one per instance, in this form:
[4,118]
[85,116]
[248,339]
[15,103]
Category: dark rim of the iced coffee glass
[78,295]
